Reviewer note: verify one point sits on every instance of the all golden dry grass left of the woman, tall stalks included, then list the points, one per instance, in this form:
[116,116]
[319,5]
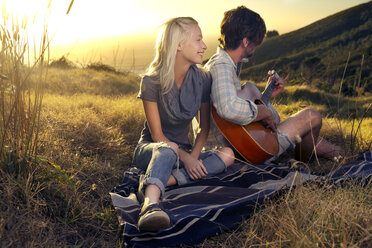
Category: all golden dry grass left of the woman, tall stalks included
[59,159]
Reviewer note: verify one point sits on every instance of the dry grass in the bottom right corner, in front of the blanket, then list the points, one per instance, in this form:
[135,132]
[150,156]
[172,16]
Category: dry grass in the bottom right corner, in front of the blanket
[309,216]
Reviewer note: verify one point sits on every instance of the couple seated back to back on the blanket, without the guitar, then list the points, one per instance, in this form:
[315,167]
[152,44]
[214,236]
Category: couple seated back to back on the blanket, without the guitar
[173,92]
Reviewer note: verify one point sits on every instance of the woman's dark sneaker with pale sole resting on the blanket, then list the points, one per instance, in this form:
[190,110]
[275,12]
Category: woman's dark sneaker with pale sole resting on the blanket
[152,218]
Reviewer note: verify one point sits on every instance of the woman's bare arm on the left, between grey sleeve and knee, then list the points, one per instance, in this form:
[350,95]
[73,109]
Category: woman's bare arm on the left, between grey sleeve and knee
[153,120]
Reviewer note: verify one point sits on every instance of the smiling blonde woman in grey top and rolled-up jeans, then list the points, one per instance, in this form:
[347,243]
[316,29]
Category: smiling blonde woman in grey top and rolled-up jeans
[173,91]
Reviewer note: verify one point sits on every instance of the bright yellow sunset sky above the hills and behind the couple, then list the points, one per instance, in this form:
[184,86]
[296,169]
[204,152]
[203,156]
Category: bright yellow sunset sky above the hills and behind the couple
[136,21]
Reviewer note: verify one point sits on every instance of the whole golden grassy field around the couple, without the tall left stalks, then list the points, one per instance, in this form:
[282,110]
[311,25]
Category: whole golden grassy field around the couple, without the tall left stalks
[90,122]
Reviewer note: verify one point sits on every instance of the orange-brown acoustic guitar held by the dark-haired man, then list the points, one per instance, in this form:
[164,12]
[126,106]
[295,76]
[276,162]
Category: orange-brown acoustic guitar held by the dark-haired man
[254,142]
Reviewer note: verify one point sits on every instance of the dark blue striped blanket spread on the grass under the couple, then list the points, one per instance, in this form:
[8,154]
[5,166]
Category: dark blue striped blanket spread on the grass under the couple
[211,206]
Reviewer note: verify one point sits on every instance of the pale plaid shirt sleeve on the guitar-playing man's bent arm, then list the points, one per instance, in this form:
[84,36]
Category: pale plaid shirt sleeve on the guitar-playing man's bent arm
[223,94]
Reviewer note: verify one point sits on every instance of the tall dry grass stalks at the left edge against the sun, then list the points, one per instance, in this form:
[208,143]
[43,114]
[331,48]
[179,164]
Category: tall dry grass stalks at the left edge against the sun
[20,95]
